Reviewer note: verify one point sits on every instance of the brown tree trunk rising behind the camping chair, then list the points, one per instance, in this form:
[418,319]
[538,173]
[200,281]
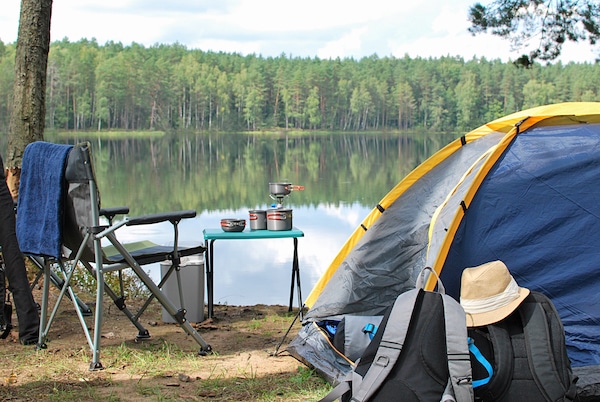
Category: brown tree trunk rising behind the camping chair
[29,92]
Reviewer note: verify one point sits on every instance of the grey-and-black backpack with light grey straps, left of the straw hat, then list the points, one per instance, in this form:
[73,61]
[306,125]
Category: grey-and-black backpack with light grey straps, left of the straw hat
[419,353]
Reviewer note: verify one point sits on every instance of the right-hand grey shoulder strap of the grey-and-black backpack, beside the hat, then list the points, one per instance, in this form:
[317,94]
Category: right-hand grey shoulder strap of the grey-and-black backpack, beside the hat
[457,349]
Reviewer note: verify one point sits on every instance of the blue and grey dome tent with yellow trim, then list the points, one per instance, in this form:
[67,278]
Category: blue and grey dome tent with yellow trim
[524,189]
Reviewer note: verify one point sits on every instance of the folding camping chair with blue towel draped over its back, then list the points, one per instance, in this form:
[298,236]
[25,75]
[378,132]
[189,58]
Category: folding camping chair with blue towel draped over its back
[58,220]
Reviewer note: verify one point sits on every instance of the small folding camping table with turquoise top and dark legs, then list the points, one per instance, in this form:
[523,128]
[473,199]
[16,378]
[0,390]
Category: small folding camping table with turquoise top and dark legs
[212,235]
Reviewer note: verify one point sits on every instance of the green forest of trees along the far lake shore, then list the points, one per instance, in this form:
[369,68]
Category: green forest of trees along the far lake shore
[169,87]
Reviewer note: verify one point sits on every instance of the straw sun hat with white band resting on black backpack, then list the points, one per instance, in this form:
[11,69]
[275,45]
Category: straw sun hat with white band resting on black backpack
[489,293]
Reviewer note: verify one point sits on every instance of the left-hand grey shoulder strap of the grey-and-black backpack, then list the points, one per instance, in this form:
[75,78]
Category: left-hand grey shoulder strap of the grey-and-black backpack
[389,348]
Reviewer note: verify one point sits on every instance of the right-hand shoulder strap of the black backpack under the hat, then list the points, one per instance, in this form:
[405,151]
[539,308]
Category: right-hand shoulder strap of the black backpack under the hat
[539,350]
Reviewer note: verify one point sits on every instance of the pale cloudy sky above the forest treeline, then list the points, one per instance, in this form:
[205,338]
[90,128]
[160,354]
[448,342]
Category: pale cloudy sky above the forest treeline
[307,28]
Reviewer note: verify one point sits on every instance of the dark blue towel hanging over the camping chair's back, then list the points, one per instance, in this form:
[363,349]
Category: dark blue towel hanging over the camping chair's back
[41,199]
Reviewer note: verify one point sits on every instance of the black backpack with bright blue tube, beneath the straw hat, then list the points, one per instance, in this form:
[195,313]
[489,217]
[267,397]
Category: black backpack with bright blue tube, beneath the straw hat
[527,354]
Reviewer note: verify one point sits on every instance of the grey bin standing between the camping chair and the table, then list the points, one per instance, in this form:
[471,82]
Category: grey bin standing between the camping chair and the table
[192,287]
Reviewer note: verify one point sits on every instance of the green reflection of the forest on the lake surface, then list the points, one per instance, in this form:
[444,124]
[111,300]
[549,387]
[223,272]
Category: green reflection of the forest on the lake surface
[229,171]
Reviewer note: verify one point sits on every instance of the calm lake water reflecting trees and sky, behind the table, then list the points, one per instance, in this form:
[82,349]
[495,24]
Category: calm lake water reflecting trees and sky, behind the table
[225,175]
